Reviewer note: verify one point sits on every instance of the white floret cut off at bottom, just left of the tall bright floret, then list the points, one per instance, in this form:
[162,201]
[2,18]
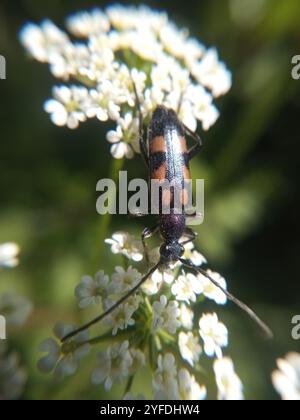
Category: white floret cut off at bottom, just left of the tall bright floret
[188,388]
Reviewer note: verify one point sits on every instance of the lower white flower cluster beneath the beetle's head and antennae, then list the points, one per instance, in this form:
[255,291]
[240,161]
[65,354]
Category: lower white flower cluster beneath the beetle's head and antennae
[159,326]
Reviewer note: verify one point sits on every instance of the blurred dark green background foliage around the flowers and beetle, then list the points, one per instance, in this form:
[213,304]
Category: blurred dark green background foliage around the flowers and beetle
[250,163]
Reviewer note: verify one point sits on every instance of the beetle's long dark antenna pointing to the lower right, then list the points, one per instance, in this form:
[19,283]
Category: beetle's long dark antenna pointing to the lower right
[232,298]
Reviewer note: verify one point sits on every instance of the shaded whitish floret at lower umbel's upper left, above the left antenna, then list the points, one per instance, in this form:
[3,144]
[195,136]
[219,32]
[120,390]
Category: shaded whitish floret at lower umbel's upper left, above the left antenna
[91,291]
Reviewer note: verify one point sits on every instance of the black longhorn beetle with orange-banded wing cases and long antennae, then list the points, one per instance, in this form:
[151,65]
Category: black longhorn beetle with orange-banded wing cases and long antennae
[166,155]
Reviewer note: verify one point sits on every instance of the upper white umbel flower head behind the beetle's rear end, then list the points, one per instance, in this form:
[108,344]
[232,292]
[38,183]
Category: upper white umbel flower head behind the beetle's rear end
[113,62]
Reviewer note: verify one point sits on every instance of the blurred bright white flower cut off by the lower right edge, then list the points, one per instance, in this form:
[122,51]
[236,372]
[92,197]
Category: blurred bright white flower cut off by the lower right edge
[286,379]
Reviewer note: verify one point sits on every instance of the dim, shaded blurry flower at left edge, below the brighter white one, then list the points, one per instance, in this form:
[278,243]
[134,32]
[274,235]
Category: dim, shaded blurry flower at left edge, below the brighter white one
[16,309]
